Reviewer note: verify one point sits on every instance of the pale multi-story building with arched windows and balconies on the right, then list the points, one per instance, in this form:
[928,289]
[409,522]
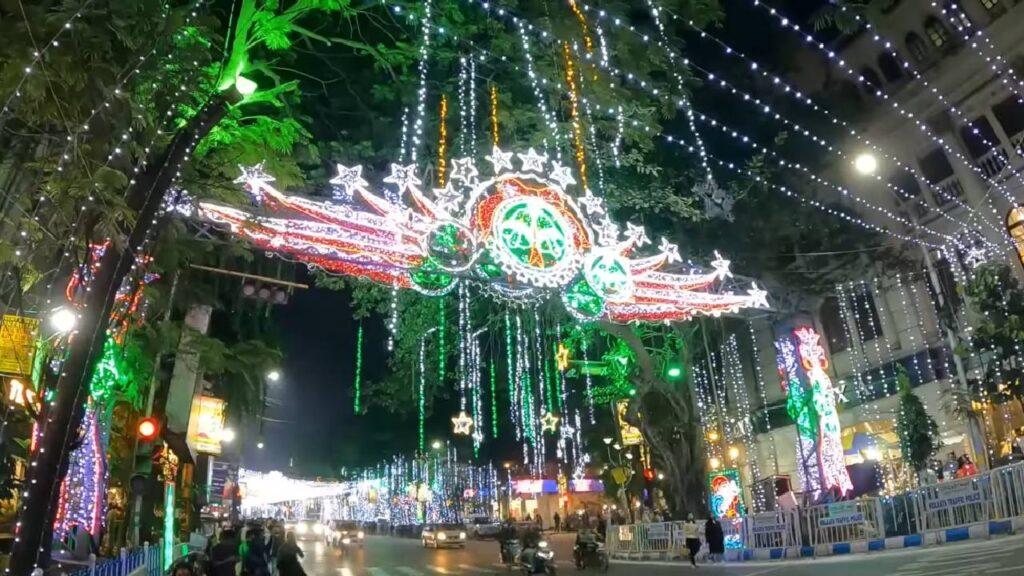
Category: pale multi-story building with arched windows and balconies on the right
[940,106]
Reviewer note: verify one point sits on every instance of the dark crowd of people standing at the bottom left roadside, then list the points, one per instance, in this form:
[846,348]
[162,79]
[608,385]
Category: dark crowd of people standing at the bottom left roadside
[257,549]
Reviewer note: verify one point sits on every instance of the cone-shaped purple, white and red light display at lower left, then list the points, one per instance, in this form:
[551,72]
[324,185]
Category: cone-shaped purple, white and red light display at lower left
[83,493]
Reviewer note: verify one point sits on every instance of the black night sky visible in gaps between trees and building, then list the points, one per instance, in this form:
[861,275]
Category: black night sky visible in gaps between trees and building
[310,420]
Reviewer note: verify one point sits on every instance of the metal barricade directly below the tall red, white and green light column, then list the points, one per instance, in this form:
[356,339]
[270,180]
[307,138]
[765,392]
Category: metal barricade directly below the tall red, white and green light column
[842,522]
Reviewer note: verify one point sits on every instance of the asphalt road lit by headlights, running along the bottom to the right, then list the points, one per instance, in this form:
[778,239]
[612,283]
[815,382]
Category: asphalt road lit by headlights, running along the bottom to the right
[396,557]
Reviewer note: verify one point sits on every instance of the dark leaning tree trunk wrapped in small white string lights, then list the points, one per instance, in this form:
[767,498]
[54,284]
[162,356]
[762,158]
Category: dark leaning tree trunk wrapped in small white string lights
[50,464]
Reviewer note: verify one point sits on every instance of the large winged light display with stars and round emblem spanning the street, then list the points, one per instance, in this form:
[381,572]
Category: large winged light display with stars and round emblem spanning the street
[519,234]
